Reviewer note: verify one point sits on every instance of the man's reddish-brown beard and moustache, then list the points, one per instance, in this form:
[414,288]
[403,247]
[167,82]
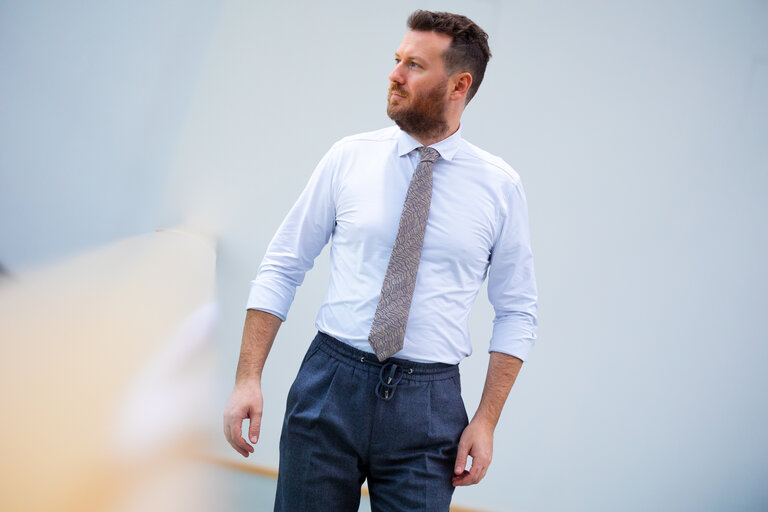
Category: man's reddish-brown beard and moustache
[425,116]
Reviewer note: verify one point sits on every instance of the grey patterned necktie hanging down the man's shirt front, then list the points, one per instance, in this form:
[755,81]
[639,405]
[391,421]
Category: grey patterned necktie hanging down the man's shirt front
[388,328]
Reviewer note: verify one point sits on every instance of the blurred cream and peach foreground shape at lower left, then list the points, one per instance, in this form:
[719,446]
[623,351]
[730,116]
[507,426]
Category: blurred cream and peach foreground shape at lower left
[107,368]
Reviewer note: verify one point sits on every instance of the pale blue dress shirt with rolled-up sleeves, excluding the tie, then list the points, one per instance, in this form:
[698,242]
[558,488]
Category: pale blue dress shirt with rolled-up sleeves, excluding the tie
[477,226]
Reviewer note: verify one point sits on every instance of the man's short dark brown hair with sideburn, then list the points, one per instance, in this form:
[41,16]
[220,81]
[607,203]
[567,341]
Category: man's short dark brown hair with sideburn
[469,46]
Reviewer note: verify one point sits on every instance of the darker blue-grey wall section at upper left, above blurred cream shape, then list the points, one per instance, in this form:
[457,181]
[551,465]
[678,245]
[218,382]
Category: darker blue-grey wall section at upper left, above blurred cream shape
[92,98]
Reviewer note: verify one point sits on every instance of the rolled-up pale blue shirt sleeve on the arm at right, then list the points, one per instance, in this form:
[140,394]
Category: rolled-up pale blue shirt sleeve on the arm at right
[511,280]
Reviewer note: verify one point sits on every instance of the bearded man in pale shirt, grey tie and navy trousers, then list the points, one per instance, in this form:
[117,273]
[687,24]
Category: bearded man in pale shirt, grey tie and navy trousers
[418,218]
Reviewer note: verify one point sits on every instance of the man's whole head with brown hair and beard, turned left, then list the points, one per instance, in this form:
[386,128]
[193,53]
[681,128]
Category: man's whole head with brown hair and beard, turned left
[438,68]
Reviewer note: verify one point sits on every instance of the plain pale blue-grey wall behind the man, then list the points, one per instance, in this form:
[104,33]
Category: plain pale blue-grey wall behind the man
[639,130]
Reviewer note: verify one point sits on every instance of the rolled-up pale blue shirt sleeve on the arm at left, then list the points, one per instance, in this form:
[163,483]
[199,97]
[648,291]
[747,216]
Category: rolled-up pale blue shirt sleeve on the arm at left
[300,238]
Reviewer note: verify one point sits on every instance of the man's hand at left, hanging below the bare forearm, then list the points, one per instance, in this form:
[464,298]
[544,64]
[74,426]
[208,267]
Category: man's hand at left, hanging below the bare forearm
[245,402]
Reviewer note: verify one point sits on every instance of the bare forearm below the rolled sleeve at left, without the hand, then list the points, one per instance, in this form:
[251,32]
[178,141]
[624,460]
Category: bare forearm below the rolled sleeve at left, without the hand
[258,335]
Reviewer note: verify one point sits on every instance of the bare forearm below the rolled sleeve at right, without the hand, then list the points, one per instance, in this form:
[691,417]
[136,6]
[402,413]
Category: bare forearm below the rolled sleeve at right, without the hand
[502,372]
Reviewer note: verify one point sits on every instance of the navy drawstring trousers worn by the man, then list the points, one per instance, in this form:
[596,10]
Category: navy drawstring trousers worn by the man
[350,418]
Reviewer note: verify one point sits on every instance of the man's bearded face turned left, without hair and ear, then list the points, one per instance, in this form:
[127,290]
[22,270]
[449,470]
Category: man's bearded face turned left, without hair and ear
[418,92]
